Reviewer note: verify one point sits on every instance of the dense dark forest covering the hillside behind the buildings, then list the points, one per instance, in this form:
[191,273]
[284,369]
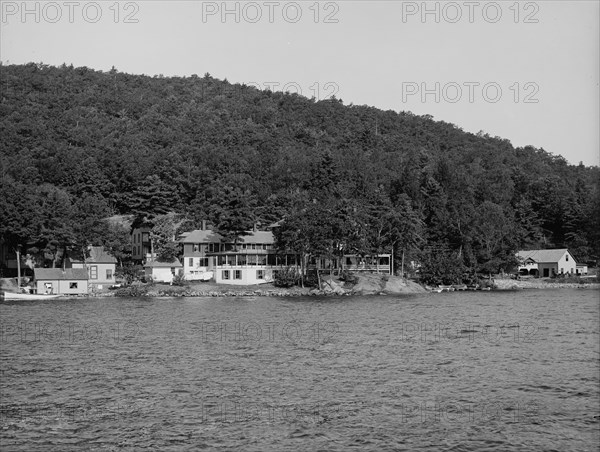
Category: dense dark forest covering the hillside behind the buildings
[80,145]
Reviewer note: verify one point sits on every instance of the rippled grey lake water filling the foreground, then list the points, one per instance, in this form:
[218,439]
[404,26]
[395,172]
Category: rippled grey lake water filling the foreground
[502,371]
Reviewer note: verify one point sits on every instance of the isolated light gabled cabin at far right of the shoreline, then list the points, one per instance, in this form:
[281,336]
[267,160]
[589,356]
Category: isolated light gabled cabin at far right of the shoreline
[546,263]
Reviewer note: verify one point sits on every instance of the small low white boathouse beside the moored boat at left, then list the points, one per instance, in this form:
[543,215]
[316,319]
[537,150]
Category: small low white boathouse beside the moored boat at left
[68,281]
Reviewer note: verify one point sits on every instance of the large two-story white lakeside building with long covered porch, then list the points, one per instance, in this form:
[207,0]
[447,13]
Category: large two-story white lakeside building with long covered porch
[255,260]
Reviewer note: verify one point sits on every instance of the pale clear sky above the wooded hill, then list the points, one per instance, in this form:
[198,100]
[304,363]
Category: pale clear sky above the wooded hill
[370,52]
